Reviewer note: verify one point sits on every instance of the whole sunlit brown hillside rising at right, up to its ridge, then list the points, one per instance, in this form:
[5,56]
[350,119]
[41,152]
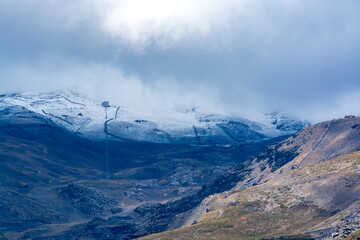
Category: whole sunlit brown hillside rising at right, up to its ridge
[306,187]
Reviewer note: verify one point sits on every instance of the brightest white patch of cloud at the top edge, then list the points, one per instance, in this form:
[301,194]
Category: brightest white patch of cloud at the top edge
[141,23]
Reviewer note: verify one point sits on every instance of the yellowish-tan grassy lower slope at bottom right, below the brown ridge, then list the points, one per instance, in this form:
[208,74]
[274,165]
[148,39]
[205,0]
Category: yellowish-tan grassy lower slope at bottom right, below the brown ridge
[290,205]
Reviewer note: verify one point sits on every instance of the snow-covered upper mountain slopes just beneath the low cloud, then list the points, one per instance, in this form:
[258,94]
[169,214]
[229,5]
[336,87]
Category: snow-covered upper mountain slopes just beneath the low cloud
[79,114]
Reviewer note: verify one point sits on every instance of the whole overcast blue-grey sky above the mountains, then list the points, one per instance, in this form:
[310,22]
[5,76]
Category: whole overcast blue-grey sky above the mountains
[240,56]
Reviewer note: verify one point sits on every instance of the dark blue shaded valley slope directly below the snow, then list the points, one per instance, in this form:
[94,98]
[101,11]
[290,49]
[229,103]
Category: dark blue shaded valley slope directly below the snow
[53,180]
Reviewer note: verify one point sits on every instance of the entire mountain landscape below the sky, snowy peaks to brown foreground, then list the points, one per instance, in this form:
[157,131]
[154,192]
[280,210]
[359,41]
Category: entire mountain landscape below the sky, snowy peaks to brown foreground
[67,172]
